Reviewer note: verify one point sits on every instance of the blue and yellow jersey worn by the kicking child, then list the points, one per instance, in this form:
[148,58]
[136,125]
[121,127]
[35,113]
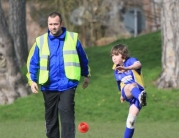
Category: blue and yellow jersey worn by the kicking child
[130,76]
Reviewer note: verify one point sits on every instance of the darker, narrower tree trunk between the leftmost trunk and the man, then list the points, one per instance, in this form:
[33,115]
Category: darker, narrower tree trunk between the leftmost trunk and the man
[17,28]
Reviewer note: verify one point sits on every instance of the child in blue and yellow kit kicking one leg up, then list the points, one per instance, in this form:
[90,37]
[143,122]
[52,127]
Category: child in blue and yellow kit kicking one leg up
[127,71]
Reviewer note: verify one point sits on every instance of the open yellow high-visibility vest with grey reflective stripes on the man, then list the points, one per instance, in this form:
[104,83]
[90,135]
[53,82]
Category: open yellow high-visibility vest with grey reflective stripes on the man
[70,56]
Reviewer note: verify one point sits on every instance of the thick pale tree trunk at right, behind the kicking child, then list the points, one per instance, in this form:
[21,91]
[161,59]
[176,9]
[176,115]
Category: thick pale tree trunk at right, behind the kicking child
[170,50]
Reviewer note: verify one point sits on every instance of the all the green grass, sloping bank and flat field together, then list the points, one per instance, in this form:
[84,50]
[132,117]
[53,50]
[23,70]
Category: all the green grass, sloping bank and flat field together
[99,104]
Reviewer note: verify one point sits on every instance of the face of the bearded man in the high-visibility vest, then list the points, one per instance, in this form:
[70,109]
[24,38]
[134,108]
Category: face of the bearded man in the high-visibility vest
[54,25]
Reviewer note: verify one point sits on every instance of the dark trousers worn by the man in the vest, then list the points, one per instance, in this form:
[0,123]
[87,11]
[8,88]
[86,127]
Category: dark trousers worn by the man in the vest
[63,103]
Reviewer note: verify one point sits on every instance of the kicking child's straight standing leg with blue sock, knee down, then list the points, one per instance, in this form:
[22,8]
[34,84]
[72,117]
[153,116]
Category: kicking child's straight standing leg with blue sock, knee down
[133,112]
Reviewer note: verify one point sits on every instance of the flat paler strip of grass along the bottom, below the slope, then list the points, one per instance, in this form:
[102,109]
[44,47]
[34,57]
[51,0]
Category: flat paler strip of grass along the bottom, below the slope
[35,129]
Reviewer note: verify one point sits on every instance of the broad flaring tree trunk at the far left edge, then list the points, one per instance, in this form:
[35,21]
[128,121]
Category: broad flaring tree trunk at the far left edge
[12,84]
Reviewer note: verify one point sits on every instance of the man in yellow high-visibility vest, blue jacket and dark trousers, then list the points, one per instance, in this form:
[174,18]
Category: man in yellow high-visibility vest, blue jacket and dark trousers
[56,61]
